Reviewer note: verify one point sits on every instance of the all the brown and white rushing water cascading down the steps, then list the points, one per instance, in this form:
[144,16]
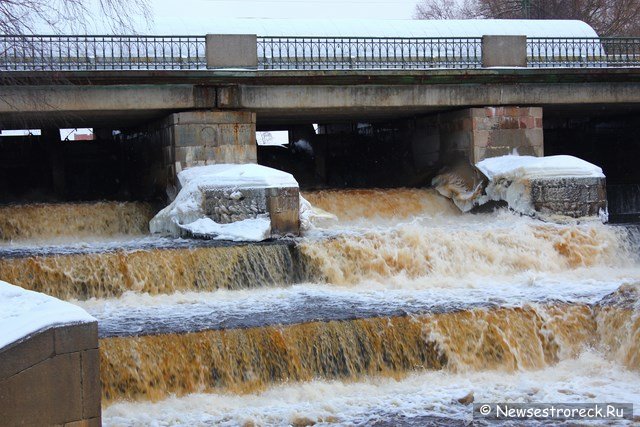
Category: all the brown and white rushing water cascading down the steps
[389,315]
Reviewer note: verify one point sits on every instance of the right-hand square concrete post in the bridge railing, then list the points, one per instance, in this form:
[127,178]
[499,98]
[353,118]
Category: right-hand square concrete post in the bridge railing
[504,51]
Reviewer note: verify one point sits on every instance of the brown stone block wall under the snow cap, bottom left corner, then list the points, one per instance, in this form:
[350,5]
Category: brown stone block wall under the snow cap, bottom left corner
[52,378]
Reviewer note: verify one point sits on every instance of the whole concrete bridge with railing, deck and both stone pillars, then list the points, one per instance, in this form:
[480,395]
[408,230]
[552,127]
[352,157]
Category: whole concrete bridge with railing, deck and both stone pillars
[201,99]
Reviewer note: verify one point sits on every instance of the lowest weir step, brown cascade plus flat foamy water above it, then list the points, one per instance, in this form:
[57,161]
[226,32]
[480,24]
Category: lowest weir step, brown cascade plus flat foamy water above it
[178,350]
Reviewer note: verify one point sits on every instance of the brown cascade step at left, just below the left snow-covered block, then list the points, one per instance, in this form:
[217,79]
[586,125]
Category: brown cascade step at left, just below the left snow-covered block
[151,265]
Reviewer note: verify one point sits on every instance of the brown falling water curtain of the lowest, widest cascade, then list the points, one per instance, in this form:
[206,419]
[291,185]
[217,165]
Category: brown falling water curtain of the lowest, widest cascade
[244,360]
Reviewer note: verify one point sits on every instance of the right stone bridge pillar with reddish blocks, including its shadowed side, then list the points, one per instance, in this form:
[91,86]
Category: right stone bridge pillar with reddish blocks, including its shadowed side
[479,133]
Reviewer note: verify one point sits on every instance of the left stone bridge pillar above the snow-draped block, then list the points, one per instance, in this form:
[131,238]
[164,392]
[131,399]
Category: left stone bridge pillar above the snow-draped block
[197,138]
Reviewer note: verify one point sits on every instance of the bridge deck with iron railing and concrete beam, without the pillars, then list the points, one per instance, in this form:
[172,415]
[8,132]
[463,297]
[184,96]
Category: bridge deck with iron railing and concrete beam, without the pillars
[121,82]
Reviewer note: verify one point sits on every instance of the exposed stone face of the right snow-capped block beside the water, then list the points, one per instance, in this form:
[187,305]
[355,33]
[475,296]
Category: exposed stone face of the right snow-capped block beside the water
[573,197]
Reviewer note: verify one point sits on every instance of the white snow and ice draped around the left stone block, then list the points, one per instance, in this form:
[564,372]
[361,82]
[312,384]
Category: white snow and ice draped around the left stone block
[186,212]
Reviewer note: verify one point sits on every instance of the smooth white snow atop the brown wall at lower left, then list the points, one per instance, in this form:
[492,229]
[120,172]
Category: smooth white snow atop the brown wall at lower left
[23,313]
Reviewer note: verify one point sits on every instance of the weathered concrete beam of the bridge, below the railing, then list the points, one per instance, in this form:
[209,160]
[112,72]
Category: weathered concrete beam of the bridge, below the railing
[126,105]
